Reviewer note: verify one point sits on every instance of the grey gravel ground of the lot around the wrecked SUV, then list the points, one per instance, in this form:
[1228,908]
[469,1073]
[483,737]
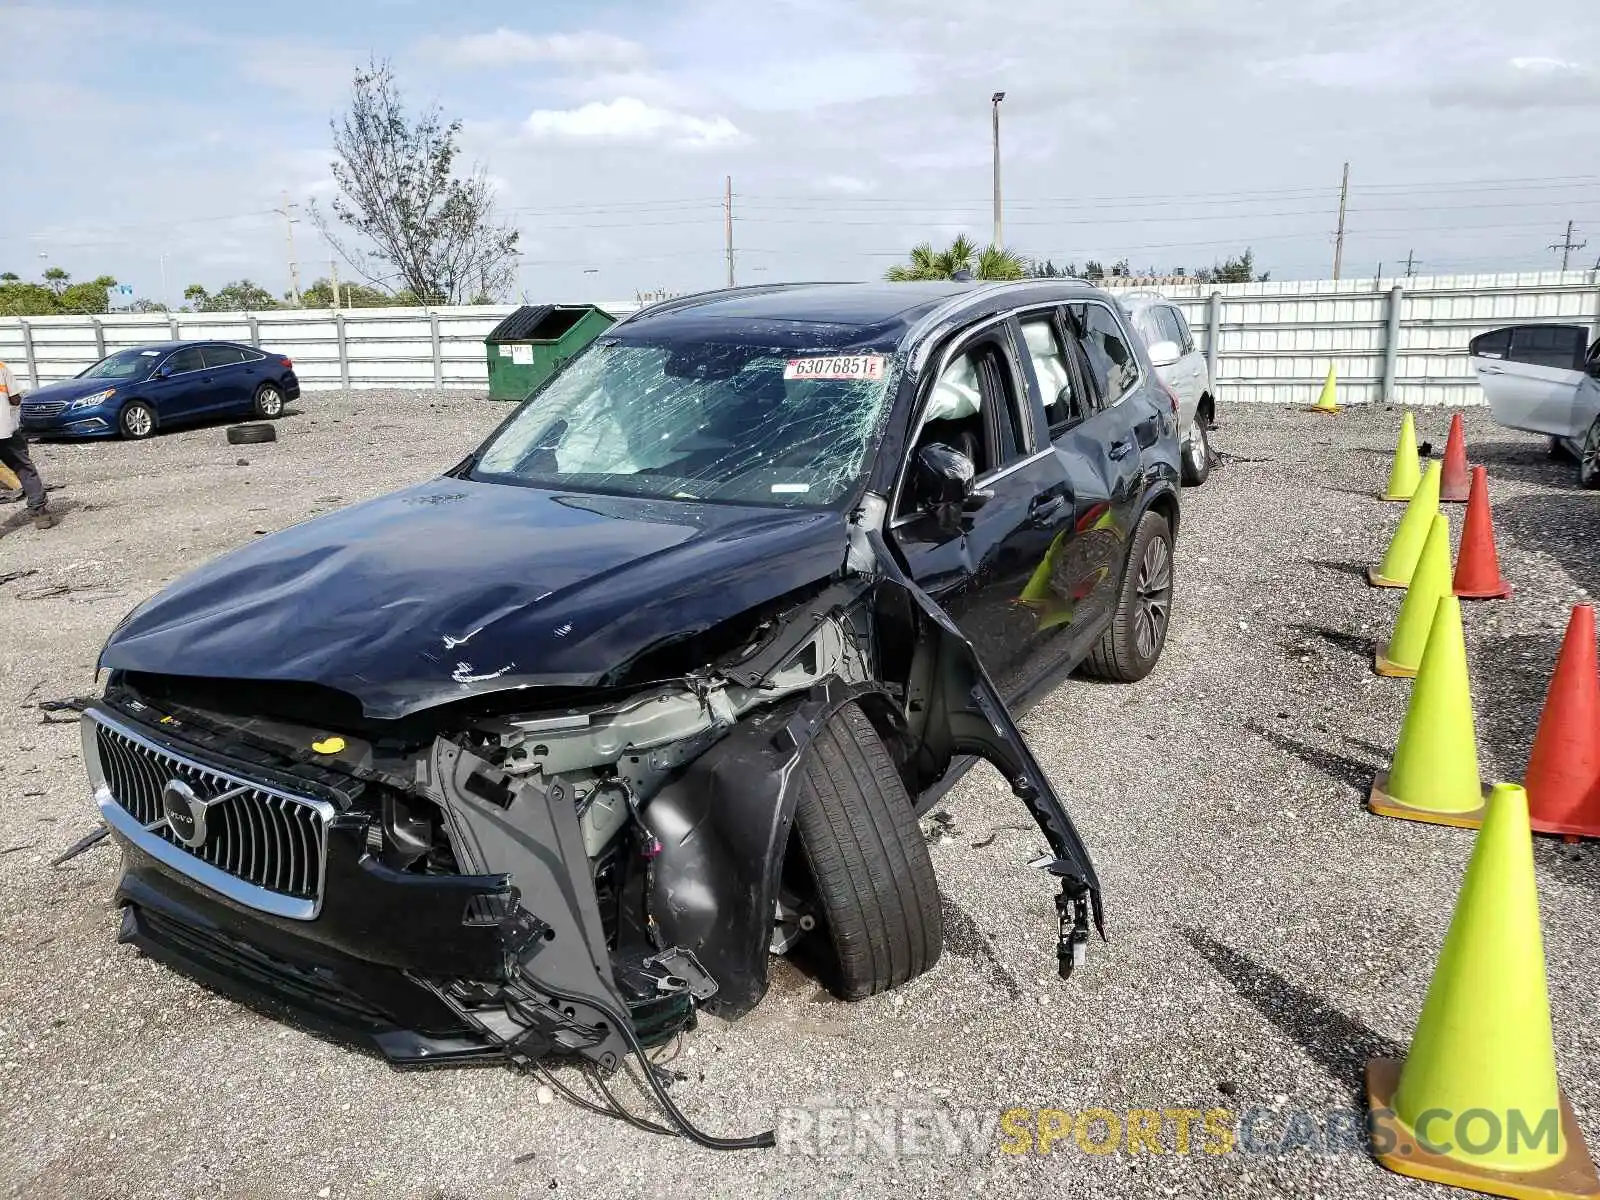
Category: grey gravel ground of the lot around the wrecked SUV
[1266,934]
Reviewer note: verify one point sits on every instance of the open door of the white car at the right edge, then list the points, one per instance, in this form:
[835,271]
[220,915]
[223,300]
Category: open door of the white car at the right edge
[1534,377]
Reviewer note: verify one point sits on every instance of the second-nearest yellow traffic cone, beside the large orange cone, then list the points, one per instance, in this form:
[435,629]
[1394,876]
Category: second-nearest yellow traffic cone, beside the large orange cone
[1434,775]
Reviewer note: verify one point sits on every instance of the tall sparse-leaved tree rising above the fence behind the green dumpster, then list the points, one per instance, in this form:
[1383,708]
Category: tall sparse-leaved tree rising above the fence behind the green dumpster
[415,222]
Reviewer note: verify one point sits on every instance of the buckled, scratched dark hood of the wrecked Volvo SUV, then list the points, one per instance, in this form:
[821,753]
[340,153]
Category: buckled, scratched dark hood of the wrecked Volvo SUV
[454,588]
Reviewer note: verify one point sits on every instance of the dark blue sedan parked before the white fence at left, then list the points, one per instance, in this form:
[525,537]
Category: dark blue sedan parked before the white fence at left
[135,393]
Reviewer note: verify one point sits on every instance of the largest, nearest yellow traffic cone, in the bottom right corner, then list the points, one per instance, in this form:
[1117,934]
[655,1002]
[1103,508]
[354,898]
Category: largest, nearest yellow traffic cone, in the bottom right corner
[1478,1103]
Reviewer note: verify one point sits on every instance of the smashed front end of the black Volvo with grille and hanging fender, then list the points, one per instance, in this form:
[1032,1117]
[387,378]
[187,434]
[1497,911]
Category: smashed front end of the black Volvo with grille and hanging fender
[529,881]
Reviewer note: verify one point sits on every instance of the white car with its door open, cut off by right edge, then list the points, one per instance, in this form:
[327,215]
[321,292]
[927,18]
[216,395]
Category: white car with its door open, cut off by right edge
[1542,378]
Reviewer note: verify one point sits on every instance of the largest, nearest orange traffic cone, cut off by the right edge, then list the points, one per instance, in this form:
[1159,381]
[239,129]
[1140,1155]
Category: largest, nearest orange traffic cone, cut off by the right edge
[1564,770]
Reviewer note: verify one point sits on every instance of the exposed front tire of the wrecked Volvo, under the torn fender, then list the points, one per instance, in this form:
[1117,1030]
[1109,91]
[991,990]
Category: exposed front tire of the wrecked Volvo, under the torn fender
[878,903]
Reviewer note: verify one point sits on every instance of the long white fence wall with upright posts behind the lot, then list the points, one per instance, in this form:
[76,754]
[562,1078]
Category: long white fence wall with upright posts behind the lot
[1402,340]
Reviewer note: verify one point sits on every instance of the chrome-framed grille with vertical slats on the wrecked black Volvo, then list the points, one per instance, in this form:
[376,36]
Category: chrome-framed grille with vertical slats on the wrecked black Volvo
[263,847]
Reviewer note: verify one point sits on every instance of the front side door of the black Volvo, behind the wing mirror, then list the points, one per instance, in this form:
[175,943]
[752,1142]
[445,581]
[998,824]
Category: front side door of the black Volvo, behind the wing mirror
[978,399]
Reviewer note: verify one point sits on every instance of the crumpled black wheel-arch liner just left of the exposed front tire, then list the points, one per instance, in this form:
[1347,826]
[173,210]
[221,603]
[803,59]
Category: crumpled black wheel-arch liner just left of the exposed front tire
[724,828]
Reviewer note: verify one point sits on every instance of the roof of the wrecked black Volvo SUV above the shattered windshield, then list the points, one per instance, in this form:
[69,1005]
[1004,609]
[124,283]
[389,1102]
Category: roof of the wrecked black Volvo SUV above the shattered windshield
[852,313]
